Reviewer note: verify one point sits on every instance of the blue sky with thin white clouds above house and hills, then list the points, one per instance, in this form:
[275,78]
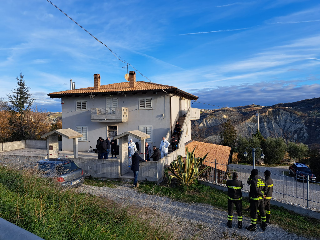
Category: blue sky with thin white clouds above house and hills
[229,53]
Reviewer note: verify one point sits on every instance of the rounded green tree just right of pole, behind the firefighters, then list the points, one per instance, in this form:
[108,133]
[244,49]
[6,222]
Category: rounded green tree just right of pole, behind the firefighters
[274,150]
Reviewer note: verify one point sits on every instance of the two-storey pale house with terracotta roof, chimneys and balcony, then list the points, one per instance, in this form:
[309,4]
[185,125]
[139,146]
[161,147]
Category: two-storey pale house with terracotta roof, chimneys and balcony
[109,110]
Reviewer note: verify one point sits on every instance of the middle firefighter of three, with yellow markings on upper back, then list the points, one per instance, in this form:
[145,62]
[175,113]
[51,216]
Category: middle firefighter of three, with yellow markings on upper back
[257,188]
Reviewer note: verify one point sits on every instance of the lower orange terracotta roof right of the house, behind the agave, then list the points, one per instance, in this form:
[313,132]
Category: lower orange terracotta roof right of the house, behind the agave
[218,152]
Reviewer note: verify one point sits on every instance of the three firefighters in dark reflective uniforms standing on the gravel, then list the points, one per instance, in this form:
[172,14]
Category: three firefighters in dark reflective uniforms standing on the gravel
[259,197]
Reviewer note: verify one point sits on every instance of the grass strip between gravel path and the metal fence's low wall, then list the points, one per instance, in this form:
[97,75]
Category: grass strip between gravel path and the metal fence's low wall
[288,220]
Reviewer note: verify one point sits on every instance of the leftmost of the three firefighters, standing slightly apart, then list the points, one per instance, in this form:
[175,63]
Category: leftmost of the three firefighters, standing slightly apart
[234,197]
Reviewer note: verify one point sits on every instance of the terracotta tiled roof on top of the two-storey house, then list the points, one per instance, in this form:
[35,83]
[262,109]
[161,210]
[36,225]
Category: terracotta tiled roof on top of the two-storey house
[124,87]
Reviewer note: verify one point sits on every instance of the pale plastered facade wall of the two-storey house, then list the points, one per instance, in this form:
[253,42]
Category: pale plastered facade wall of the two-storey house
[159,117]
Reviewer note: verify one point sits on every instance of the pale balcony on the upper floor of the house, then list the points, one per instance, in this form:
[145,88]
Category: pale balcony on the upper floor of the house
[111,115]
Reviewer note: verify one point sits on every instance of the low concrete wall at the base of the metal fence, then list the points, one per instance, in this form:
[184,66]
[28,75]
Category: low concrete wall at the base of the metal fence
[296,209]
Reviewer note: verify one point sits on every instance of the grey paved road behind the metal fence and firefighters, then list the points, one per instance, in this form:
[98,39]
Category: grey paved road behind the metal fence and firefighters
[286,188]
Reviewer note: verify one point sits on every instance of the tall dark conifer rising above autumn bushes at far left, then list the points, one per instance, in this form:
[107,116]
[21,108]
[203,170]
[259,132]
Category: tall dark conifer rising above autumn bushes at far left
[20,100]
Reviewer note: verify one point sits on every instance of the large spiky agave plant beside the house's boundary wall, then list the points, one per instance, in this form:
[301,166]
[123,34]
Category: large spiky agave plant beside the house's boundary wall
[186,170]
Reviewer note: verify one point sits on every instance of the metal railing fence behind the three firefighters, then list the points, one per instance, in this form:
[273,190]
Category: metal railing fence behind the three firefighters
[285,188]
